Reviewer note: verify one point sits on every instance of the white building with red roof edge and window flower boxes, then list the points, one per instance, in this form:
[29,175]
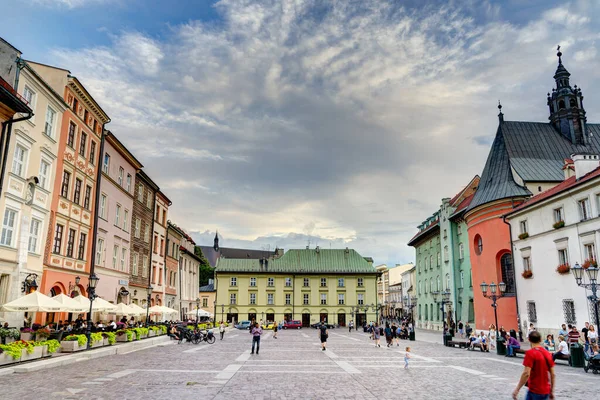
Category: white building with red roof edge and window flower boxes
[541,243]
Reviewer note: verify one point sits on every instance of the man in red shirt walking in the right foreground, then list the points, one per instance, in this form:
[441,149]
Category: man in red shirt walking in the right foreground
[538,364]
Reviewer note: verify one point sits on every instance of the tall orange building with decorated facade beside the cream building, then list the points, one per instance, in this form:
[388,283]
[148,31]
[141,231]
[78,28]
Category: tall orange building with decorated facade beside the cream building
[70,229]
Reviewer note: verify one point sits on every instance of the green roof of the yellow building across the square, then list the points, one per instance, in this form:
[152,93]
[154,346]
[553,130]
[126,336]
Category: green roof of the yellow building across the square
[309,261]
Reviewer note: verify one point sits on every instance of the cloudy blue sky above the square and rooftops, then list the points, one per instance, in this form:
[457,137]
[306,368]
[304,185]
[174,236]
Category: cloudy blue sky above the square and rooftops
[340,122]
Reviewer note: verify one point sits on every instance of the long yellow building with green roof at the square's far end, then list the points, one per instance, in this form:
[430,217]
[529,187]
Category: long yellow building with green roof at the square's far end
[309,285]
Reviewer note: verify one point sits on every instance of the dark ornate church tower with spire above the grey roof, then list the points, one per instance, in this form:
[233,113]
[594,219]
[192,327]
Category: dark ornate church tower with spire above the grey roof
[567,114]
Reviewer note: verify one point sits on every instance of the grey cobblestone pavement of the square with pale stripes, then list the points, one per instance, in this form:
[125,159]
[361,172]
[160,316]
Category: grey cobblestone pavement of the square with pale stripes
[292,366]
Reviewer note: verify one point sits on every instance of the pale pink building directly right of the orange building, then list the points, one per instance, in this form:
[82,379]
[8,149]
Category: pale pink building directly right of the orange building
[115,210]
